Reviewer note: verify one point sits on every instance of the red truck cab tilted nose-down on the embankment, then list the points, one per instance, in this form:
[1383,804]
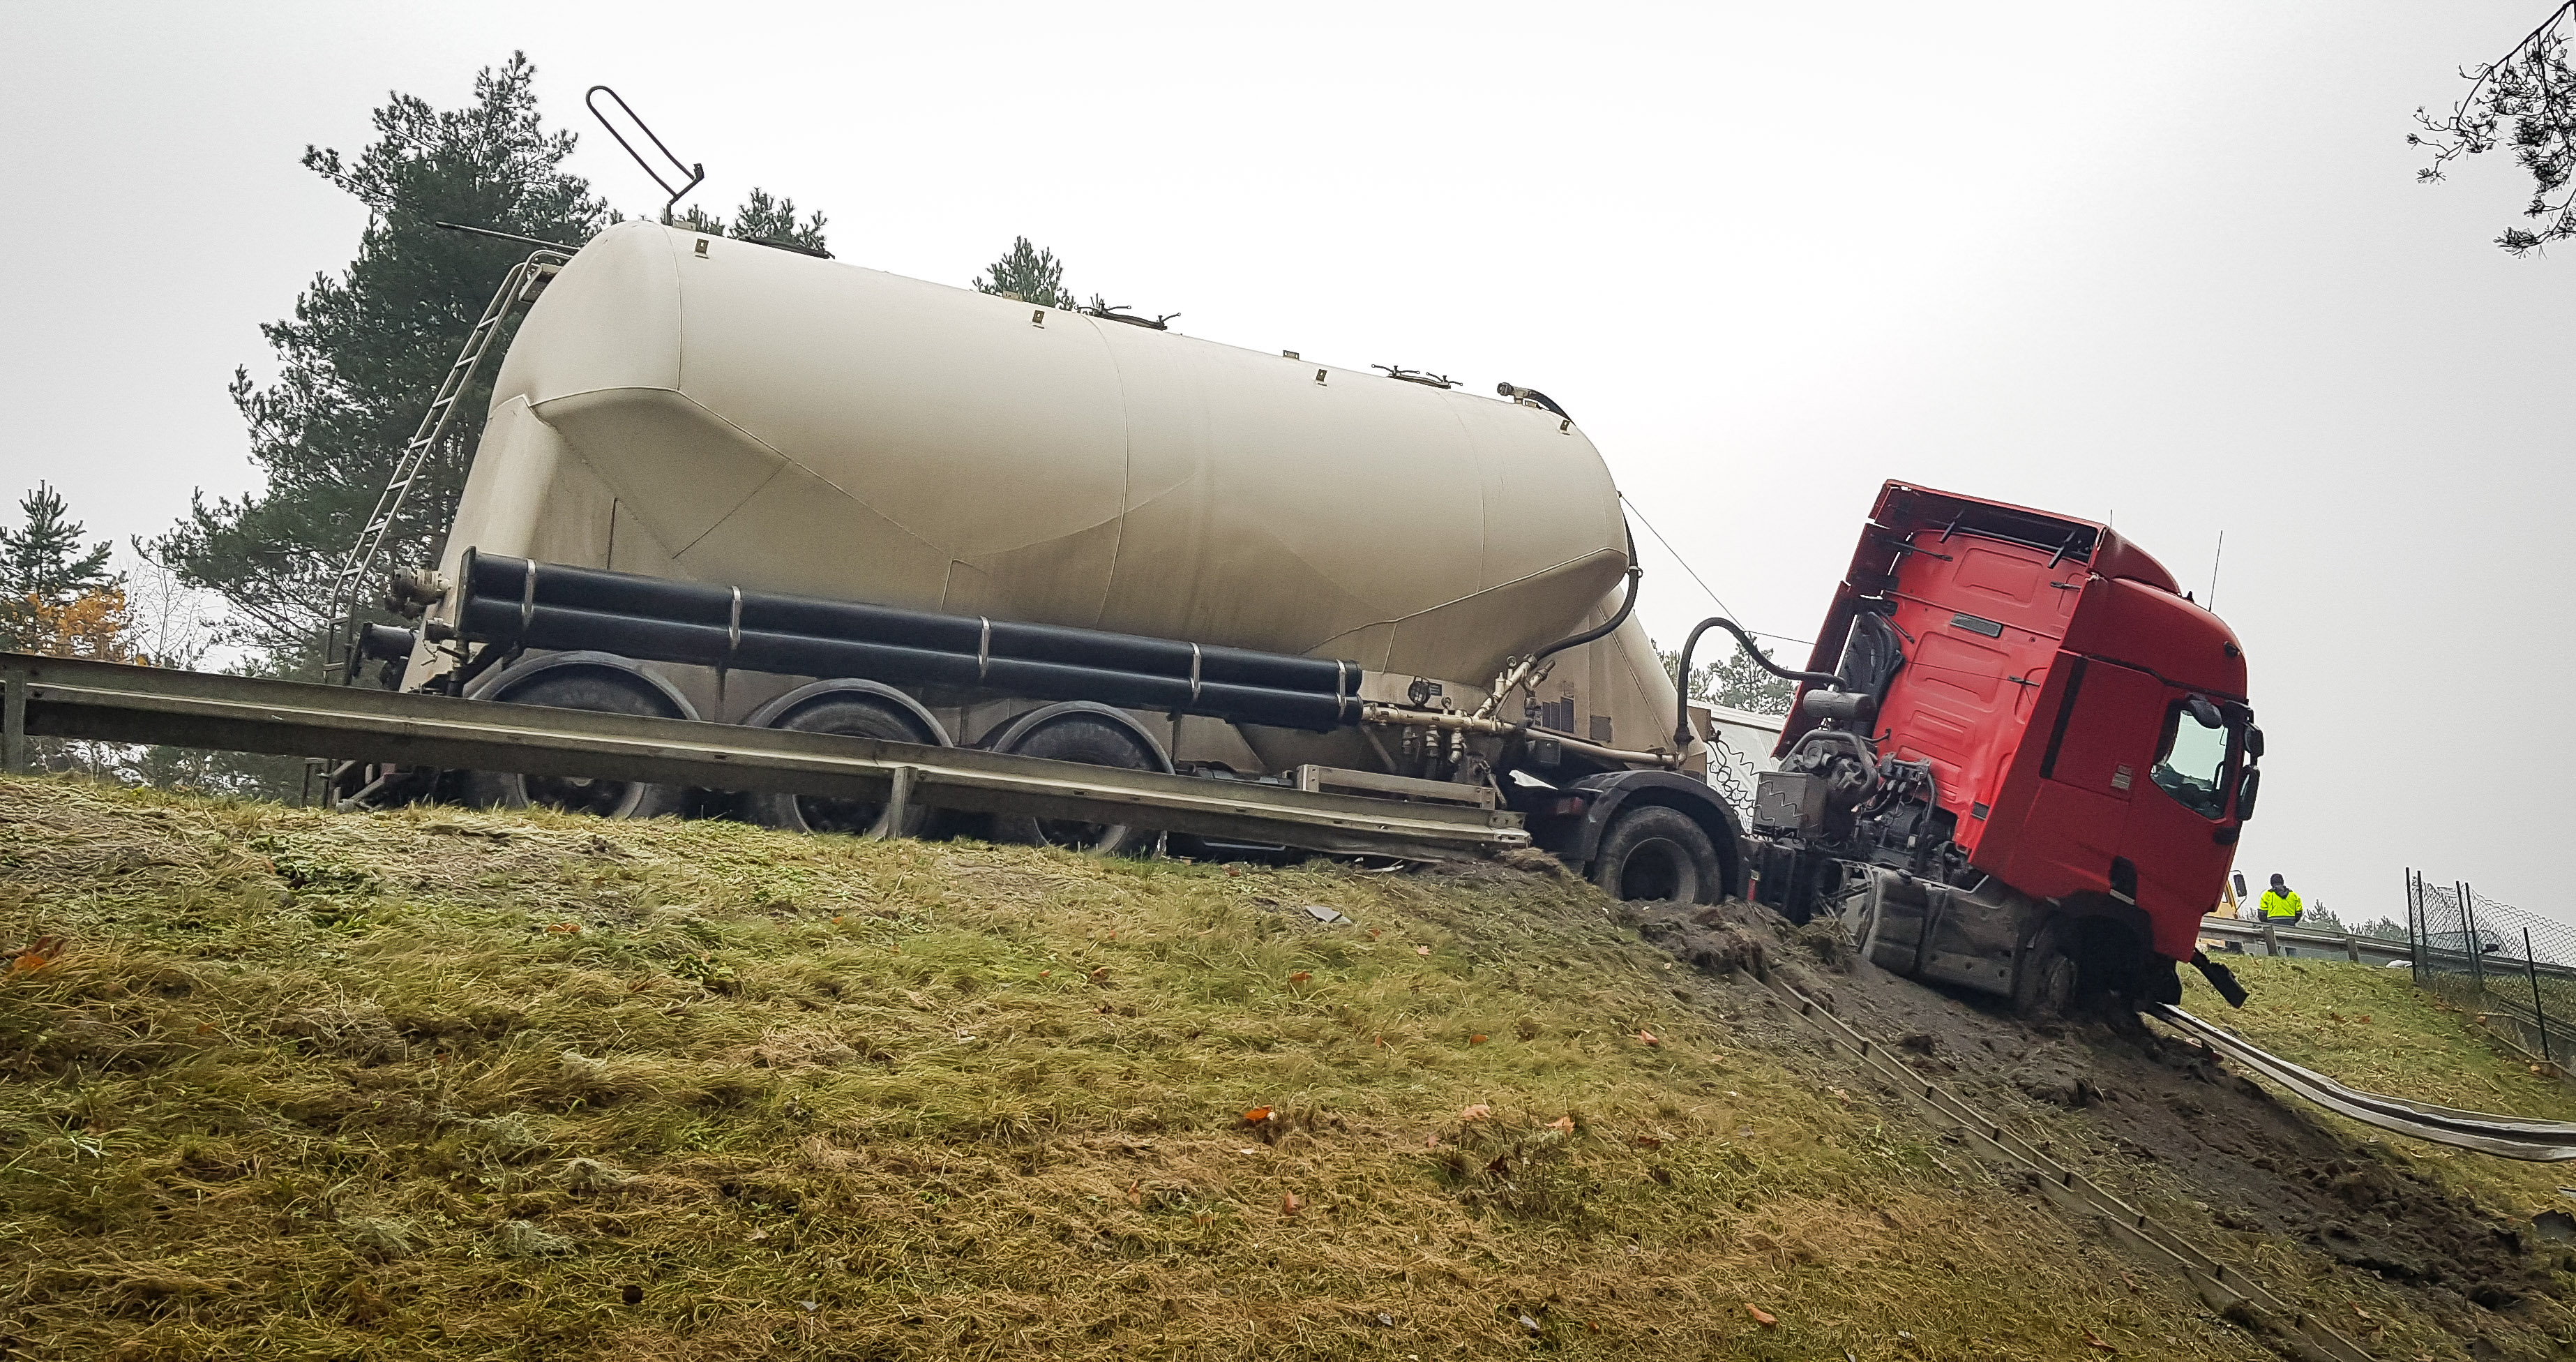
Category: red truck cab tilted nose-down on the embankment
[2075,722]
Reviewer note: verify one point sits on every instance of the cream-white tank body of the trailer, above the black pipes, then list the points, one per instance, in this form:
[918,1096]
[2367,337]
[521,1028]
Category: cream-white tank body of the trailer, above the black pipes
[730,413]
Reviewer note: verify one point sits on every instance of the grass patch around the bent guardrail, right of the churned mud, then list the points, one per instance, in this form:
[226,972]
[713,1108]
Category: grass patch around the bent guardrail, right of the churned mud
[2376,1031]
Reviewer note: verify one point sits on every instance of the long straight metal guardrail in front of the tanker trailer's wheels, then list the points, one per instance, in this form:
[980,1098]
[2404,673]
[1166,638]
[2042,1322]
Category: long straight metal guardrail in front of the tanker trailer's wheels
[104,702]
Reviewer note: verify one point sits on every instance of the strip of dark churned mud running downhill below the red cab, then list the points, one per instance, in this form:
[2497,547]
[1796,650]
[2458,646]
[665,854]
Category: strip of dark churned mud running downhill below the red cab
[2139,1111]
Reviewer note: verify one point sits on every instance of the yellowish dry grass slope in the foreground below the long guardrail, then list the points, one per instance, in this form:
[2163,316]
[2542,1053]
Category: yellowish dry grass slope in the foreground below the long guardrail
[457,1085]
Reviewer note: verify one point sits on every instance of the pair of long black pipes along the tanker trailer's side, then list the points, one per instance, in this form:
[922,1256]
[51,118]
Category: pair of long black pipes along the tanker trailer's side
[640,619]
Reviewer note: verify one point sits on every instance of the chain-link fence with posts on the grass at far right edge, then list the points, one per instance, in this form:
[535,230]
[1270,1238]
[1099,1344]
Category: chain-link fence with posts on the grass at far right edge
[2495,959]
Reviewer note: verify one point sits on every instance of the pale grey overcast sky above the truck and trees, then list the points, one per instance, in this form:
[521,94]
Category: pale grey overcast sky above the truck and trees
[2163,264]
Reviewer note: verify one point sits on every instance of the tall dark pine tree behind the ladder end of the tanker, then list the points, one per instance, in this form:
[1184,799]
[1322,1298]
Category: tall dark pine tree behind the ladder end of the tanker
[365,354]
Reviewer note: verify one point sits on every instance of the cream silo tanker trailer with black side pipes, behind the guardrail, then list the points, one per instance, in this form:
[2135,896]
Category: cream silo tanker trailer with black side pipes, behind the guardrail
[735,483]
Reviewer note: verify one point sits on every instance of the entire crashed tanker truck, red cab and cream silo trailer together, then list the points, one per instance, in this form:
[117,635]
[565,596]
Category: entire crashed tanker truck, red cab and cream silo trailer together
[746,485]
